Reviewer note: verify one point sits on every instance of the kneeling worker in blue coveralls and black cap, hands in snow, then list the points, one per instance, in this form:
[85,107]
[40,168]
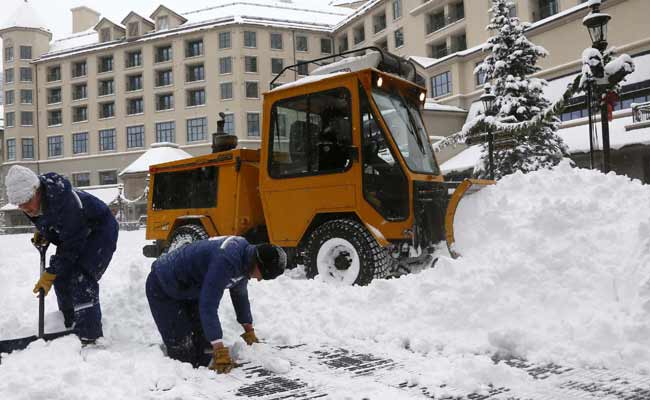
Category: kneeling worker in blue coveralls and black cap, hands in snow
[186,285]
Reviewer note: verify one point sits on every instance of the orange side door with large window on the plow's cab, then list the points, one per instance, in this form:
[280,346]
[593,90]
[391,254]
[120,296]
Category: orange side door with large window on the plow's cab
[310,150]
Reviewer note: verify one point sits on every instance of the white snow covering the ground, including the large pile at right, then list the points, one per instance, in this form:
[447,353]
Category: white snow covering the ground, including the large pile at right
[555,267]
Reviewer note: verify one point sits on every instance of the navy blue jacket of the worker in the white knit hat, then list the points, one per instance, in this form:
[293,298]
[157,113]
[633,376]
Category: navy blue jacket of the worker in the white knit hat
[69,217]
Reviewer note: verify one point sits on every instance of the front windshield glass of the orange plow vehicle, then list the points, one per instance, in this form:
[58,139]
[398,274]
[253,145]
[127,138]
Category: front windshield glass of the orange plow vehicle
[407,128]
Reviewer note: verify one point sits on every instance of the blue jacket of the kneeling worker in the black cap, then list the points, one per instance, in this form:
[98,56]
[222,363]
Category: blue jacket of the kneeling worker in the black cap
[202,271]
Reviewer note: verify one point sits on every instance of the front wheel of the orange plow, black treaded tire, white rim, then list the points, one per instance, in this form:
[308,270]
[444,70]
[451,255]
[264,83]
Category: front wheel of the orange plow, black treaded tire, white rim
[373,260]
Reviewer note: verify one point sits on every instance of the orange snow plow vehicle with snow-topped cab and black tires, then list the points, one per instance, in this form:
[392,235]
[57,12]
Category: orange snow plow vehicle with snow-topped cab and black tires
[345,179]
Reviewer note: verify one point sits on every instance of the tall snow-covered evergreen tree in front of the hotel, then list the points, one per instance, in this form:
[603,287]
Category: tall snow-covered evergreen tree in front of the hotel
[508,68]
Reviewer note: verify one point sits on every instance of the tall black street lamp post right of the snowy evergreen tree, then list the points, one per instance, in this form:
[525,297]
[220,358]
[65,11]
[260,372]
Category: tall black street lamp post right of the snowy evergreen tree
[596,23]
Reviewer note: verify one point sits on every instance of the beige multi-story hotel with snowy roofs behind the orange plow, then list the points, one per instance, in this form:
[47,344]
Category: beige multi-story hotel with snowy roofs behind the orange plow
[89,104]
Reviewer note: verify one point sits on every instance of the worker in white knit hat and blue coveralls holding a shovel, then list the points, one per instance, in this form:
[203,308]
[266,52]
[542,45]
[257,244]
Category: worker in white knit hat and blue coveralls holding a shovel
[85,234]
